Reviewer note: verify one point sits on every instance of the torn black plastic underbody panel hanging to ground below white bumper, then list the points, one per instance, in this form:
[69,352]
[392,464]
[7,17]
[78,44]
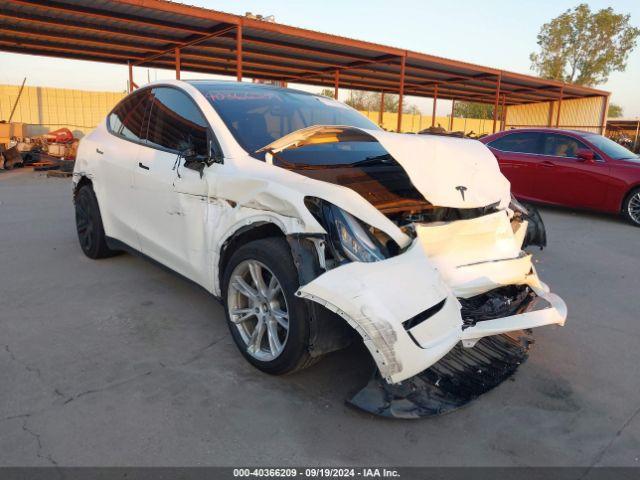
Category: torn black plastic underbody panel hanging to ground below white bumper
[458,378]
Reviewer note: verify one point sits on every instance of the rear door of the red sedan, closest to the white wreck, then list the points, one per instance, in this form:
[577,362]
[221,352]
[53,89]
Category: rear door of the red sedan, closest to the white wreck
[517,155]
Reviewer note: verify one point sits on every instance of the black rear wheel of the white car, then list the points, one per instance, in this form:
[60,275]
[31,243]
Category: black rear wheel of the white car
[89,225]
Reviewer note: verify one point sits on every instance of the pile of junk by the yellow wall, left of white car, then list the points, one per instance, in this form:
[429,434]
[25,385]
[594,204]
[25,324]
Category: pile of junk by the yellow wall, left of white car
[55,150]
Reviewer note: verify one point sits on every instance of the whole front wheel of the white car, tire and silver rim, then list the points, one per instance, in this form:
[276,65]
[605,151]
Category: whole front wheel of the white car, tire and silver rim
[269,324]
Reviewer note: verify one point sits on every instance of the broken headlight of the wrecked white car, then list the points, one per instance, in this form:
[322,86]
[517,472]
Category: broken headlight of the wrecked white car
[350,239]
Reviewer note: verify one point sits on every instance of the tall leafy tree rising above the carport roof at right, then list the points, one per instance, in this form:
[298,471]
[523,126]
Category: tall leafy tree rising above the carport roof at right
[584,47]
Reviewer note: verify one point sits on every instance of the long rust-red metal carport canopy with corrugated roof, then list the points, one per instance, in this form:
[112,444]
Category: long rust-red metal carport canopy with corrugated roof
[163,34]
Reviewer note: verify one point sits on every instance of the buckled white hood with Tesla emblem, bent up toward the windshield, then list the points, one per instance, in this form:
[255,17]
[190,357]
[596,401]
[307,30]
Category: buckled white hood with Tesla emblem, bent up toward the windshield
[448,172]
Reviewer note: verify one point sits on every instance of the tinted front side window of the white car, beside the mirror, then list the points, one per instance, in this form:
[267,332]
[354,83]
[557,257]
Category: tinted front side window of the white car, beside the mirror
[175,122]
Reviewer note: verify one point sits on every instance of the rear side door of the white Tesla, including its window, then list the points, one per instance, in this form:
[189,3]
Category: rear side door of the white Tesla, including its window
[116,147]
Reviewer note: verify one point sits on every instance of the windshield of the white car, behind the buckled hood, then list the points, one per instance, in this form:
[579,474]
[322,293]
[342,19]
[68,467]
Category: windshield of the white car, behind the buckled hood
[257,115]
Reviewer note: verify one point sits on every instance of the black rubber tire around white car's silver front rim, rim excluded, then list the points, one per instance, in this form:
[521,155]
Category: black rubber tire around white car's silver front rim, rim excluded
[274,253]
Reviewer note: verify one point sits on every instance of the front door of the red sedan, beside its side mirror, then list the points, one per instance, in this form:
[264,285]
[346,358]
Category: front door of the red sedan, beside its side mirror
[567,180]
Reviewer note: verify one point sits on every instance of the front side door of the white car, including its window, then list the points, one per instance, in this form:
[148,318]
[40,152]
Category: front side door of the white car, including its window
[172,199]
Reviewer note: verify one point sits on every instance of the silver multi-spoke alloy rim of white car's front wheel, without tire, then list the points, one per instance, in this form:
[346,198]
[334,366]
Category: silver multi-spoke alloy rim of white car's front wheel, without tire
[258,309]
